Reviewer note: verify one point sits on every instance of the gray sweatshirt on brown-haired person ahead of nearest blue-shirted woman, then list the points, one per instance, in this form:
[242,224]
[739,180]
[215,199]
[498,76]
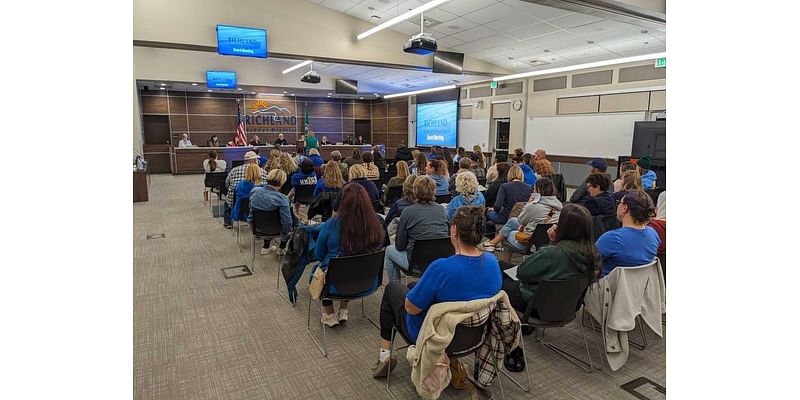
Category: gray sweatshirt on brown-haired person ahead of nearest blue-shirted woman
[420,221]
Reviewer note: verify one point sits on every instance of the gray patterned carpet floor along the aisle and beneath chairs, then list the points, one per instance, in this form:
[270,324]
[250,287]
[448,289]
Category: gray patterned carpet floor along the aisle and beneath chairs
[198,335]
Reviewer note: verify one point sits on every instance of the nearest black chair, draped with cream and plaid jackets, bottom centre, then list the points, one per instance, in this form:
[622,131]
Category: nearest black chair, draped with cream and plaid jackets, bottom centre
[466,340]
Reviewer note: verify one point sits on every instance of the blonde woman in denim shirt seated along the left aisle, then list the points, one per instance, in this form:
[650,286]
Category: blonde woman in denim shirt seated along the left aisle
[269,198]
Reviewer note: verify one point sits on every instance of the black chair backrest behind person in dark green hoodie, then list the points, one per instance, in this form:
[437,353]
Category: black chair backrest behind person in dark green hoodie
[559,300]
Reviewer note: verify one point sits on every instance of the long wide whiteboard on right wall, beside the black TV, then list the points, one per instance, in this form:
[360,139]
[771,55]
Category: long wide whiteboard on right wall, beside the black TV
[594,135]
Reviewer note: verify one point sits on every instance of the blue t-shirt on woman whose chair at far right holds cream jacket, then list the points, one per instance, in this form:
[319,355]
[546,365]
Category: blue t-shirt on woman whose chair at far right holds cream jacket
[627,247]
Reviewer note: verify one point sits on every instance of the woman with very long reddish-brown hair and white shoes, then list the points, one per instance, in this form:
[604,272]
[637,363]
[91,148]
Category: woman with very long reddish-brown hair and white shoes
[355,229]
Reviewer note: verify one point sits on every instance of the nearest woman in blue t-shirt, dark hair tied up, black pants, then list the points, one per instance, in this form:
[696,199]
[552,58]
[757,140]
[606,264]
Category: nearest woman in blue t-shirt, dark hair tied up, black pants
[470,274]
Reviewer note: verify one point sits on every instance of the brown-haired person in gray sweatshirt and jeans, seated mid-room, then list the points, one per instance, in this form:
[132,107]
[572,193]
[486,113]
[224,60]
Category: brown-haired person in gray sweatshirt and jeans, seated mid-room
[423,220]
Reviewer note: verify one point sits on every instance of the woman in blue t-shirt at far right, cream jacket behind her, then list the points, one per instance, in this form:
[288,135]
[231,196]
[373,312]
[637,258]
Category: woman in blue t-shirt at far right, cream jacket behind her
[635,243]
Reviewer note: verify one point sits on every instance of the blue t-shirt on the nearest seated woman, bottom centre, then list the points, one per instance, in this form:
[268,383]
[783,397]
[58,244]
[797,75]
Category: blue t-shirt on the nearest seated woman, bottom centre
[456,278]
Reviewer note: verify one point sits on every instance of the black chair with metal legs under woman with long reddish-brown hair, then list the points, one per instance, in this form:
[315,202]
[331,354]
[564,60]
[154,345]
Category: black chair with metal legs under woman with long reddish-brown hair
[354,278]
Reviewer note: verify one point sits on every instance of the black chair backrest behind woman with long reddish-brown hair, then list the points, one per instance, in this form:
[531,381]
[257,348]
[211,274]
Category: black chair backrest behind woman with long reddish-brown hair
[351,275]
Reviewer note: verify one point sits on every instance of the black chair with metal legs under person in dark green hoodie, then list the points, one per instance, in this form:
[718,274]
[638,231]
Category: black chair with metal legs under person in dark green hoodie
[556,304]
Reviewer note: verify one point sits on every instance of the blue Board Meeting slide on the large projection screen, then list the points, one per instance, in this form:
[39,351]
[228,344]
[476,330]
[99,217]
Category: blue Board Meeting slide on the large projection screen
[437,124]
